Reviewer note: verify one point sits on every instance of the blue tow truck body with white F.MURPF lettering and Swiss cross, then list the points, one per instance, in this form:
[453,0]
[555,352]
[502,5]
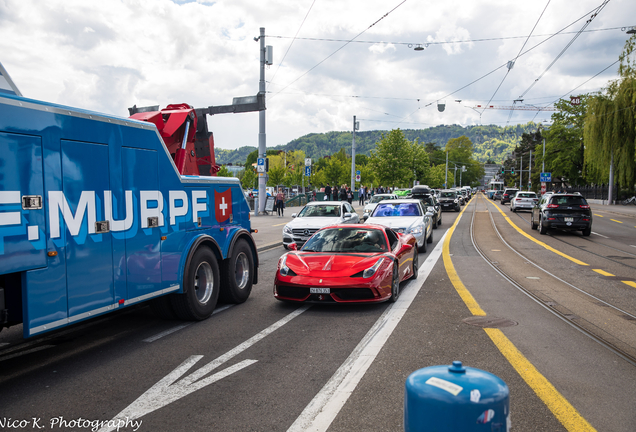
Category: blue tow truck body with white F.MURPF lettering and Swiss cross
[95,217]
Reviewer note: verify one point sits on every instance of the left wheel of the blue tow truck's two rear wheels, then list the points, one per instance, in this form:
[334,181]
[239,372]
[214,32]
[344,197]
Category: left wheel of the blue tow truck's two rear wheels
[202,284]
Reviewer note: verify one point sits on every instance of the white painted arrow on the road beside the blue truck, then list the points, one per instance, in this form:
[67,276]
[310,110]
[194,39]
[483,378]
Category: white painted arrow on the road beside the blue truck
[168,390]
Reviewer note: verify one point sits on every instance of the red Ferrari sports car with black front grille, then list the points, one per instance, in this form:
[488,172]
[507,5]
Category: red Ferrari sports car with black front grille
[346,264]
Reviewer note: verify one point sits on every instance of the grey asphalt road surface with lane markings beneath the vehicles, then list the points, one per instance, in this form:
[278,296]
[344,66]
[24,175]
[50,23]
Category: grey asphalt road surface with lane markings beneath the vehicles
[270,366]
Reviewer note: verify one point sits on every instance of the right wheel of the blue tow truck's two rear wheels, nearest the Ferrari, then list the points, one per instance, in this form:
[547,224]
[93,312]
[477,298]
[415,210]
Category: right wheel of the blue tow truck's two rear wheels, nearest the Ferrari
[238,274]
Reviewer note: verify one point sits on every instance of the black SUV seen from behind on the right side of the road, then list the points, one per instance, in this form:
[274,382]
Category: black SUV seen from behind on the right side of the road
[562,211]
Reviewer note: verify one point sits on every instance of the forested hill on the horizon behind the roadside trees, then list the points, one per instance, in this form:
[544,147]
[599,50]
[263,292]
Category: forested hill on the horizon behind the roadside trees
[490,142]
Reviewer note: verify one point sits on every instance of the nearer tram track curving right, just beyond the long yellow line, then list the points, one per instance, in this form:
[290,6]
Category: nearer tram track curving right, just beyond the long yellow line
[605,323]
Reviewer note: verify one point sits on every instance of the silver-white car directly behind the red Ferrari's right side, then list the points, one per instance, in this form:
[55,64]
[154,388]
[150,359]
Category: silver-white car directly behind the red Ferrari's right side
[405,216]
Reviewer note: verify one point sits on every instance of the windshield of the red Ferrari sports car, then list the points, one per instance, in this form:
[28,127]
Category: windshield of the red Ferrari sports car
[347,240]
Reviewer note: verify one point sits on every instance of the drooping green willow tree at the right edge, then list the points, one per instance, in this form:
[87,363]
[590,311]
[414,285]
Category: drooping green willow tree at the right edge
[610,128]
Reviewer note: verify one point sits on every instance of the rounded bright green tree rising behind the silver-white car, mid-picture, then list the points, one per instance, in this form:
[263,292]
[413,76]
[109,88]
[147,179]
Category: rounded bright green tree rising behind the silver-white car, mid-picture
[388,159]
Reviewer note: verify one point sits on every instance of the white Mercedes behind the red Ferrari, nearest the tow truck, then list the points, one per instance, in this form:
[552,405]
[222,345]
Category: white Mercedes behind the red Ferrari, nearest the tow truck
[314,216]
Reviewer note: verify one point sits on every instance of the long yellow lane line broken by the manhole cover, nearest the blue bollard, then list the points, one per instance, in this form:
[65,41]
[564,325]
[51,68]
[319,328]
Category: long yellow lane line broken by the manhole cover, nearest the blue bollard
[560,407]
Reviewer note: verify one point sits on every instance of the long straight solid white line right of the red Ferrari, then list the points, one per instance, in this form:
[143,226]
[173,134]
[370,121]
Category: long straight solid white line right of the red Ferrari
[325,406]
